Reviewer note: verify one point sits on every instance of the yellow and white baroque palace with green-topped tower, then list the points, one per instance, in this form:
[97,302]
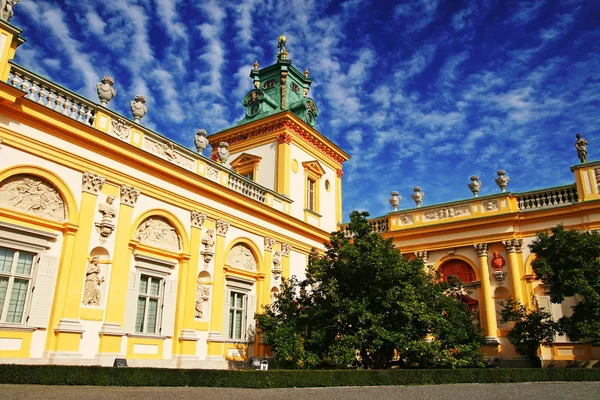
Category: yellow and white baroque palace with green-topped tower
[116,242]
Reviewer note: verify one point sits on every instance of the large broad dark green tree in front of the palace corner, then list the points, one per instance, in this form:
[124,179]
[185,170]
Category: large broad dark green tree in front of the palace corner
[361,302]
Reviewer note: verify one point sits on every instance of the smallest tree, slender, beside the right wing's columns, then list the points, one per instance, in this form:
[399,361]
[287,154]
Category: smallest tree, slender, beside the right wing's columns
[532,328]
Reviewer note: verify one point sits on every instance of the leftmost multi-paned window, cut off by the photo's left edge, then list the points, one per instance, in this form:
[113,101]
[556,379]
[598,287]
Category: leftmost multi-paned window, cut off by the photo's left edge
[16,272]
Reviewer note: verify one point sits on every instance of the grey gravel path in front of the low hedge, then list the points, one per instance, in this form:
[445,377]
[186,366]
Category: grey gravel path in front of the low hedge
[501,391]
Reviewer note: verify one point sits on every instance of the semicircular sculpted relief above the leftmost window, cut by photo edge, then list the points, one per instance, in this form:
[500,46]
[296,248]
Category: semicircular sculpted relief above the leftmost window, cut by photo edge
[33,195]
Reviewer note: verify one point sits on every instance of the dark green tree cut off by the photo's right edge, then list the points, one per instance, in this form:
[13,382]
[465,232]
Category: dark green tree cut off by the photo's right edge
[569,262]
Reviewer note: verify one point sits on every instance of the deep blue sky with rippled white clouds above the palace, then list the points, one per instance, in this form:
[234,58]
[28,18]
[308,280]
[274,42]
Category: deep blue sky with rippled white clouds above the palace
[425,92]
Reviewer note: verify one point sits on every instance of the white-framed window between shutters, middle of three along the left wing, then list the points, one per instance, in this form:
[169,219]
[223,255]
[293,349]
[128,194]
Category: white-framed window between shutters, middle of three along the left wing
[149,304]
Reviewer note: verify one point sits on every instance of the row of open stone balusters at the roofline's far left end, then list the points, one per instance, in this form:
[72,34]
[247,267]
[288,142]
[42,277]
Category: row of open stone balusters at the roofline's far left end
[51,95]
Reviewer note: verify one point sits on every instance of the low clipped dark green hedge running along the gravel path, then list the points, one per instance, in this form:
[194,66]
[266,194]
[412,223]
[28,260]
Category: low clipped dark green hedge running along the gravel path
[107,376]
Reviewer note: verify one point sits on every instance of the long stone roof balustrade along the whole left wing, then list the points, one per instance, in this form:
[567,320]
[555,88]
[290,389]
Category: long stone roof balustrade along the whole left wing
[72,105]
